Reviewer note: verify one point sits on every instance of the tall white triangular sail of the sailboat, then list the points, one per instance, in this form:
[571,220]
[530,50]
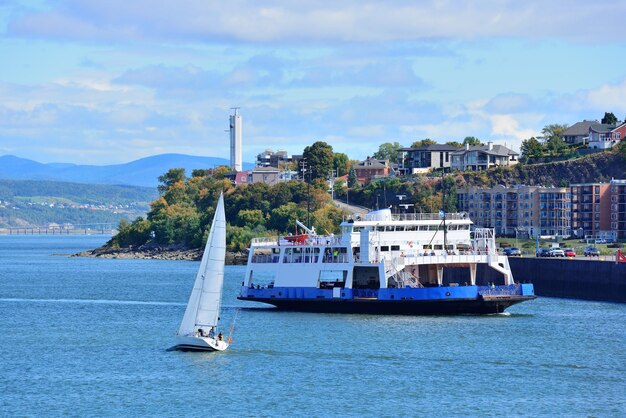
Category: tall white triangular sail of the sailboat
[204,303]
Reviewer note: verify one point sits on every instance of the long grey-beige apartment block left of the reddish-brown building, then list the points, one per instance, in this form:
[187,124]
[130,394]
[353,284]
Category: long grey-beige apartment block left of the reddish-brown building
[519,210]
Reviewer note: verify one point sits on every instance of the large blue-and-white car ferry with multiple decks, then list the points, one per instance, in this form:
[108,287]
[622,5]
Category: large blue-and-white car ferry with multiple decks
[384,263]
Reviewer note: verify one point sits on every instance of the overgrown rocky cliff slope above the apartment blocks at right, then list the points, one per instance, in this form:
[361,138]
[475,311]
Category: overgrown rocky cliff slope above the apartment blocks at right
[594,168]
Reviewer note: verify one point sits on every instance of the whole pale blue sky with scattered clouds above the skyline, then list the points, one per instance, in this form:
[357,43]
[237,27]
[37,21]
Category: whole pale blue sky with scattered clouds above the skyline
[106,82]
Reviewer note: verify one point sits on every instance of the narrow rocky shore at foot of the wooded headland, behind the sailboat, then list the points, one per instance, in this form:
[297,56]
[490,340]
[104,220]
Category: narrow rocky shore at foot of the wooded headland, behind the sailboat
[159,253]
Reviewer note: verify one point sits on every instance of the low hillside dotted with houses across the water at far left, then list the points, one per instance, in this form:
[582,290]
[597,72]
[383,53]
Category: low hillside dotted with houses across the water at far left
[37,203]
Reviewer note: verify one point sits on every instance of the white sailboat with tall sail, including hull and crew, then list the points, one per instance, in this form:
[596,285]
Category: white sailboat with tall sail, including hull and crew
[198,329]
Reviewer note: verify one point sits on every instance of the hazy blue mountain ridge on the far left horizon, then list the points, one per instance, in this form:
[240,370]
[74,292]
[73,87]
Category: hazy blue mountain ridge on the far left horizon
[142,172]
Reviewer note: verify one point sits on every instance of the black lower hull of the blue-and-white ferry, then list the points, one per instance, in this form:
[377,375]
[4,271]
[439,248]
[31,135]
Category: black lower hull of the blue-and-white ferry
[396,307]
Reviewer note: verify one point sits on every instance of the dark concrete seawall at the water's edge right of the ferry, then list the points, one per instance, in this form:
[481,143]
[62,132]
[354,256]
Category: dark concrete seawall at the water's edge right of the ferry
[578,279]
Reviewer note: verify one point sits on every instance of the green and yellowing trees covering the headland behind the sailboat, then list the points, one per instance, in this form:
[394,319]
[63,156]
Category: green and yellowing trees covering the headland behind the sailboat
[184,210]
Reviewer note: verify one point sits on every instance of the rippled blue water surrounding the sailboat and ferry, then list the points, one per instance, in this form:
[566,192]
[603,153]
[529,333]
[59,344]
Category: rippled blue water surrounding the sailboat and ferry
[89,337]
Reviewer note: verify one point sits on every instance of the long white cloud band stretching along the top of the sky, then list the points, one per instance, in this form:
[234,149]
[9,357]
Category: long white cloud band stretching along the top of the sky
[323,21]
